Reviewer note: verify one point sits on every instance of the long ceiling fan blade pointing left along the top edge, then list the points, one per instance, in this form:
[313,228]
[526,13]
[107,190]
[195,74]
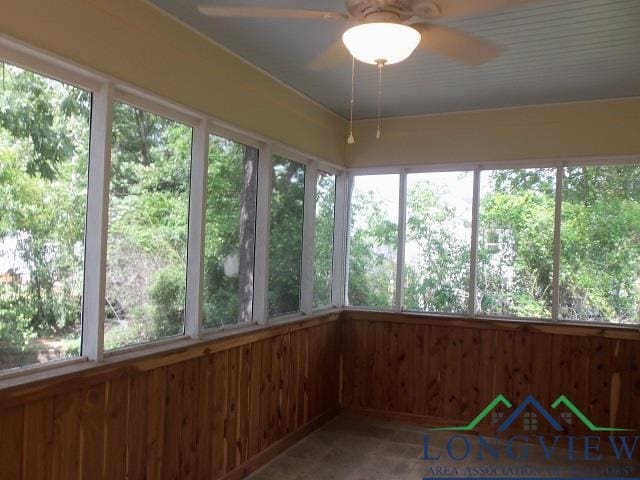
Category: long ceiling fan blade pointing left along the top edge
[255,11]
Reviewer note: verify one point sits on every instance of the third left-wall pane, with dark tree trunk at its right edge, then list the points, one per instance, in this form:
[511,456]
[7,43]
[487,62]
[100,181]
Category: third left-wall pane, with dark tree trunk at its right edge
[229,232]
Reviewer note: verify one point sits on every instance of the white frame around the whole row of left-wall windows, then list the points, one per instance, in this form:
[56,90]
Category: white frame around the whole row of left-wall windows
[105,90]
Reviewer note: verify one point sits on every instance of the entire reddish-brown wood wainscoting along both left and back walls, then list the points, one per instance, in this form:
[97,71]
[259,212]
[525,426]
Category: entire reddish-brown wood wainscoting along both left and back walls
[218,409]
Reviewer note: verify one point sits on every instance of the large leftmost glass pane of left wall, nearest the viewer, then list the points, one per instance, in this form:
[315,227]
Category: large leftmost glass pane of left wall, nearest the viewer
[44,143]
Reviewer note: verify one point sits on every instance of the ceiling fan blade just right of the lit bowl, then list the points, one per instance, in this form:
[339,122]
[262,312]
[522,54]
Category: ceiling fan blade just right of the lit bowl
[454,44]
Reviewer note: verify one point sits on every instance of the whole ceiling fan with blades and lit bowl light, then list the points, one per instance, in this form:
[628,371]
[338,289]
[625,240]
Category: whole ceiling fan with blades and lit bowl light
[382,32]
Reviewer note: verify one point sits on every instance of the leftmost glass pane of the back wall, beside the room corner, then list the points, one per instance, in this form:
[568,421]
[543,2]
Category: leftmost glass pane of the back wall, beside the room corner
[373,240]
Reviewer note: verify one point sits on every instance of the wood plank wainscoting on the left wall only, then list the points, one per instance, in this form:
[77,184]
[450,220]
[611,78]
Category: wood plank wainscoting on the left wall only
[208,412]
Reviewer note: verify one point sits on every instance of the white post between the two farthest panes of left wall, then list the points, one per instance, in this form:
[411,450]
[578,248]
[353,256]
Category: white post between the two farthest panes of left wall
[308,238]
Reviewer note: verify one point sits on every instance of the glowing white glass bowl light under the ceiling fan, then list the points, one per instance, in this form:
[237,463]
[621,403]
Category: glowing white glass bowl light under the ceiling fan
[382,42]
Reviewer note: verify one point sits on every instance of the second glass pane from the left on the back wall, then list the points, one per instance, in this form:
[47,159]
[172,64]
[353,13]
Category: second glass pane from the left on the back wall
[438,241]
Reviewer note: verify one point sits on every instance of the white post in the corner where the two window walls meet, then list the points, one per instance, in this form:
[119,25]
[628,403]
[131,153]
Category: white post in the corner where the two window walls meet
[340,228]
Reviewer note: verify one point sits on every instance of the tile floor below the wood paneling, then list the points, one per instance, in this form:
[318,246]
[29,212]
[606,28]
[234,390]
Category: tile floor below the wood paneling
[360,448]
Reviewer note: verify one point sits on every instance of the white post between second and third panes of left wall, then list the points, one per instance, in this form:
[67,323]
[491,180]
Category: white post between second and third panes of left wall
[197,210]
